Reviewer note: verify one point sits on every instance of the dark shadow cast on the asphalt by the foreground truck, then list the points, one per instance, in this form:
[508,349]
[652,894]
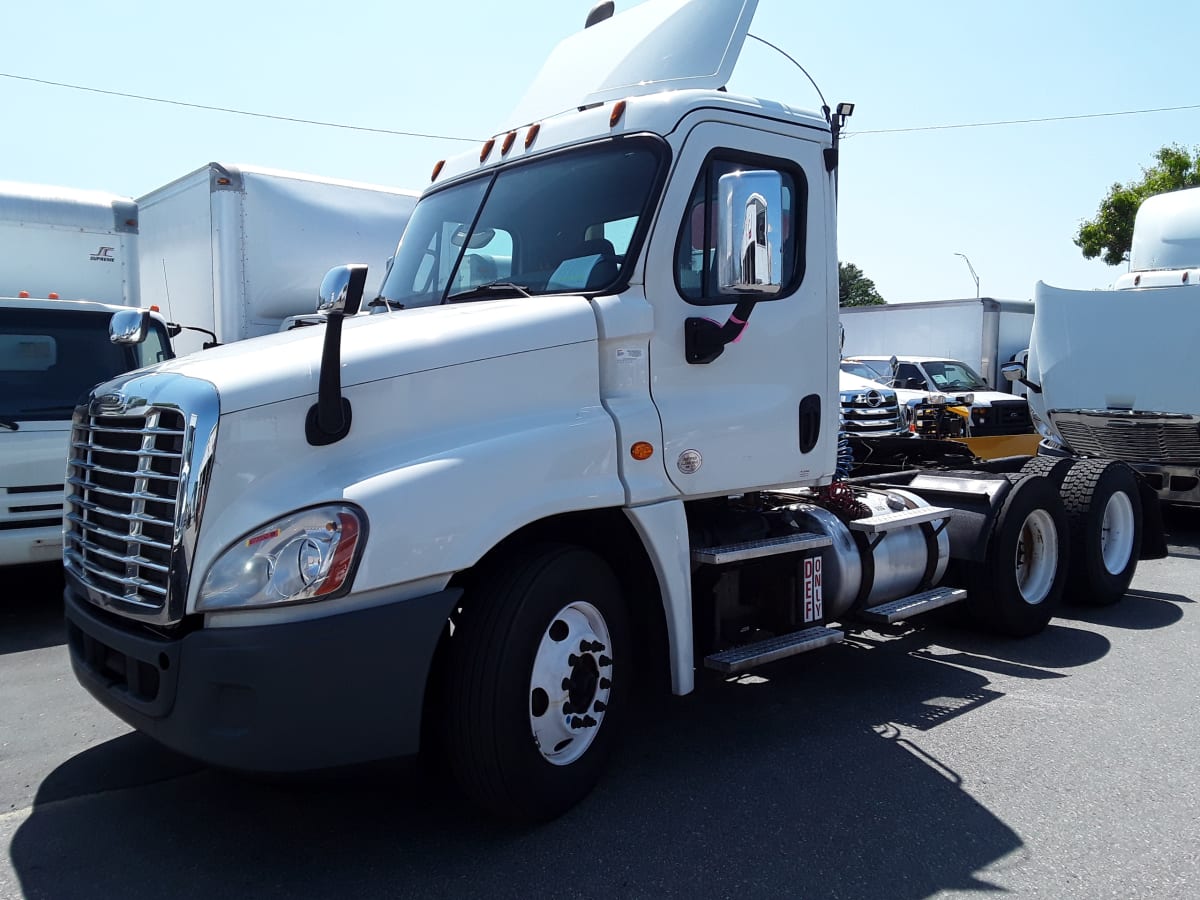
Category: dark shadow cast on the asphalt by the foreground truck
[799,781]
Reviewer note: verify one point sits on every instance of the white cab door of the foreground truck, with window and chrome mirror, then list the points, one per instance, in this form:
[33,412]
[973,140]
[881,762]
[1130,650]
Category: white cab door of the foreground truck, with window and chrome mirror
[748,399]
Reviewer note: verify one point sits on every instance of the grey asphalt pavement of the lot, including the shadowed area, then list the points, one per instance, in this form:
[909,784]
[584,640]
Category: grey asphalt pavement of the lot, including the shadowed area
[933,763]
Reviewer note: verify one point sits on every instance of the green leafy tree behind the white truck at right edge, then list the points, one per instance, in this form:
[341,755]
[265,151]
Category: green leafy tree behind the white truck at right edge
[1111,235]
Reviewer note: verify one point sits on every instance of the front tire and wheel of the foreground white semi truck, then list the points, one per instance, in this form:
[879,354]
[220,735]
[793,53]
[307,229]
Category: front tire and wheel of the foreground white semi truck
[526,616]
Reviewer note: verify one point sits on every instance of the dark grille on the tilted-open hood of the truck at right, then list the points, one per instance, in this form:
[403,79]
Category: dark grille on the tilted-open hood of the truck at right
[1132,437]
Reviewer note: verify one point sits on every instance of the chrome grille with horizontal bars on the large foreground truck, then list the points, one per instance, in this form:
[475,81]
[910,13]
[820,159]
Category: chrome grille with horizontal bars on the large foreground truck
[124,490]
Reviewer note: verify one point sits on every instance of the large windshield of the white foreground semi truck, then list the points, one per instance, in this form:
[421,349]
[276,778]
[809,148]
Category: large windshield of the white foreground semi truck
[569,223]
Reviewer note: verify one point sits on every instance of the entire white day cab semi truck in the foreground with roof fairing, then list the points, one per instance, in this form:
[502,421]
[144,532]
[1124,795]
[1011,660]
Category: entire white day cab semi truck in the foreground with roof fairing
[599,422]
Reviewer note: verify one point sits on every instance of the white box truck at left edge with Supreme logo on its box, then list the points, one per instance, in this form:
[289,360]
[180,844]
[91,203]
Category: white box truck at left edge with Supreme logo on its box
[69,265]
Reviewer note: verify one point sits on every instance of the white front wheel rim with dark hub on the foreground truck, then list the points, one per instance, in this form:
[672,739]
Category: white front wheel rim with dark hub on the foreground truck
[572,669]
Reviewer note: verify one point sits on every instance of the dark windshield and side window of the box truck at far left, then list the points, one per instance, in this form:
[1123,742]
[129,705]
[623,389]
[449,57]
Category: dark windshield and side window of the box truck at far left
[50,359]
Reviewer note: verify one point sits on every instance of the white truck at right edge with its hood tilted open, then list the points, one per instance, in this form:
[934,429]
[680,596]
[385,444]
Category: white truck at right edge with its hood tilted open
[1112,374]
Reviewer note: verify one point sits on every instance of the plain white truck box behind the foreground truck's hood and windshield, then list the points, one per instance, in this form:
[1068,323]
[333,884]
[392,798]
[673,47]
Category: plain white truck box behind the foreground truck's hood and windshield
[238,250]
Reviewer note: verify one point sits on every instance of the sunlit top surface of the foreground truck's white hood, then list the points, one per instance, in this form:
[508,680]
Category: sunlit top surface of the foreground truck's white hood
[266,370]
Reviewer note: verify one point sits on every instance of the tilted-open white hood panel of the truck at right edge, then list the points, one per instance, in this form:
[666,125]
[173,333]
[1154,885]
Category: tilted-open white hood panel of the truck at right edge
[1115,350]
